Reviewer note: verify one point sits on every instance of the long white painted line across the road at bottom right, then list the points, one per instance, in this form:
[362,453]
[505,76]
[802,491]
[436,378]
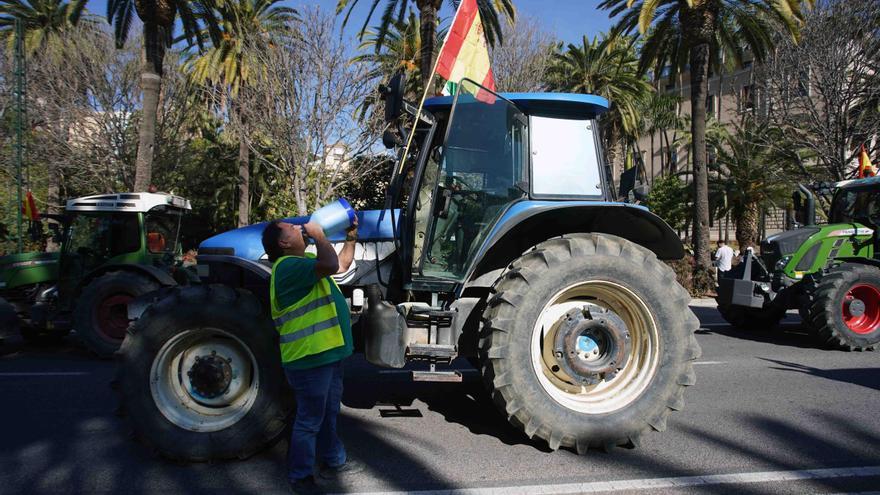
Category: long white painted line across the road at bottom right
[655,483]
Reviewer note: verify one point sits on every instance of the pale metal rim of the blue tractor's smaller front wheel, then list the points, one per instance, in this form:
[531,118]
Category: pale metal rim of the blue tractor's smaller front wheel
[204,380]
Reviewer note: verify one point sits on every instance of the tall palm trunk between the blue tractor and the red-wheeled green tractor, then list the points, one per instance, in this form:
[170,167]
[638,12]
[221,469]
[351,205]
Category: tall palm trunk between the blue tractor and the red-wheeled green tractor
[699,58]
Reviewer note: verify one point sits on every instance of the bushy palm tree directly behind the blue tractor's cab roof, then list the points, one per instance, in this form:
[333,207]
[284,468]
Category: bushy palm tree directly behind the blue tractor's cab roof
[608,67]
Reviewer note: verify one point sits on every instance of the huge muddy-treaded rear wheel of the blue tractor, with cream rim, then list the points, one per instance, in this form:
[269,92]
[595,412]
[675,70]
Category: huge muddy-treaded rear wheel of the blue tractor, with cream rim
[588,341]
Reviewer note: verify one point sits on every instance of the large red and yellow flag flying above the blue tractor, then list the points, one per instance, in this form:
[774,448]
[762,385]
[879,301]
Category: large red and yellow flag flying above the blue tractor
[465,53]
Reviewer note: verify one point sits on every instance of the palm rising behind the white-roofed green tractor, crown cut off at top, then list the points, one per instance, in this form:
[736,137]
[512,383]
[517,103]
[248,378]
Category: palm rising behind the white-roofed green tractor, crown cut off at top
[158,18]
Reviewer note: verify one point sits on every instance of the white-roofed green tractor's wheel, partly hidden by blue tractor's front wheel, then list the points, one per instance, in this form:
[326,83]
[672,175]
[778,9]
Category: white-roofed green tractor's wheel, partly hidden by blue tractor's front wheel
[101,315]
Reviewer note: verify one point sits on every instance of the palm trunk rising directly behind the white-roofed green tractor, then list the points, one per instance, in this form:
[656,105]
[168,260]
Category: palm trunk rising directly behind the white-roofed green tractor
[151,83]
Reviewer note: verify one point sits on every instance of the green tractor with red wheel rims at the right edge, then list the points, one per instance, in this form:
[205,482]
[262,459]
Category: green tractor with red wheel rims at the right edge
[829,273]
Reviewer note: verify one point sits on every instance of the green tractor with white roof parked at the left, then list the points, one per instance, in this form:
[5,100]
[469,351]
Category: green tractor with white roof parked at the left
[114,247]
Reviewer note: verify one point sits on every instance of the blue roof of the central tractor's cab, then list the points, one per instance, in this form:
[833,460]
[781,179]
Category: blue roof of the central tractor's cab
[566,105]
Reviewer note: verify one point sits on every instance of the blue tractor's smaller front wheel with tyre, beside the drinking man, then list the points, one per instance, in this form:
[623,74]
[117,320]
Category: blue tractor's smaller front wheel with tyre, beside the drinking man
[200,377]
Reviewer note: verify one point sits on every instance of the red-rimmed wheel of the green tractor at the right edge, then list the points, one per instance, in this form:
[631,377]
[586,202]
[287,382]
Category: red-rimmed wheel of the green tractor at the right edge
[845,306]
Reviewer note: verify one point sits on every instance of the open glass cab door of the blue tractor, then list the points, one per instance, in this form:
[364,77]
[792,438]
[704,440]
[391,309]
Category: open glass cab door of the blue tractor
[477,174]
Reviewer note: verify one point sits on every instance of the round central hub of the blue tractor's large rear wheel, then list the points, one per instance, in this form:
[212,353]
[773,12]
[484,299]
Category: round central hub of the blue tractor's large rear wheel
[590,349]
